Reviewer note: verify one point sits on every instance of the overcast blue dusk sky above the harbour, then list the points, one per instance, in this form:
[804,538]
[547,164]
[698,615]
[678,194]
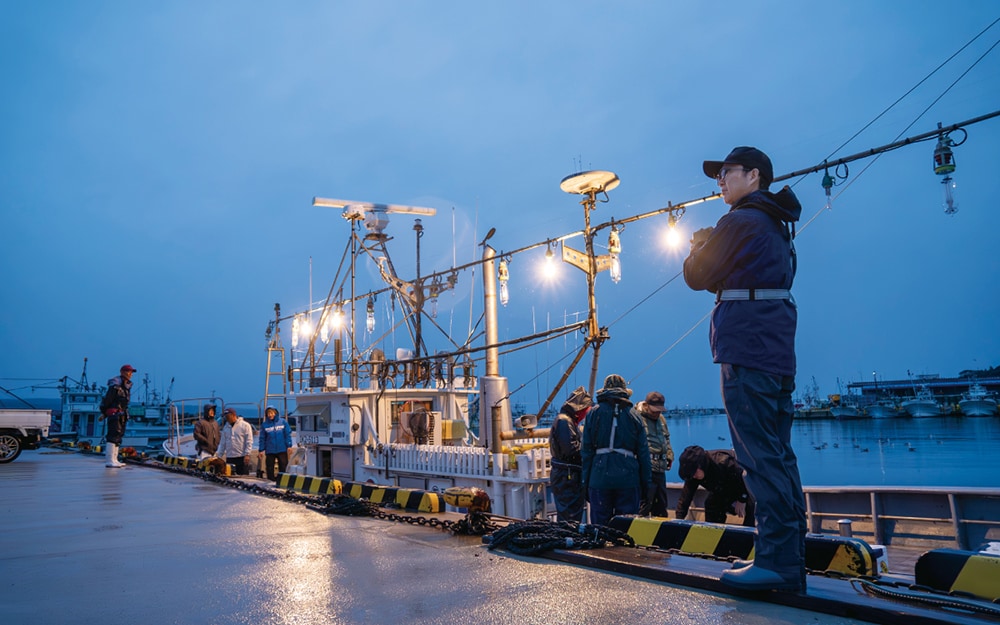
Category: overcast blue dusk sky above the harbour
[158,162]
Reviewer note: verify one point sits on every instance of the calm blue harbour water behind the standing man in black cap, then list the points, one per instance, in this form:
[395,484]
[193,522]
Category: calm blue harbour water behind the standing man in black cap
[934,451]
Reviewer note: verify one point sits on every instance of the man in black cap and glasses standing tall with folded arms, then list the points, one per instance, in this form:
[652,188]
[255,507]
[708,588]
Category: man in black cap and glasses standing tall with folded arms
[748,262]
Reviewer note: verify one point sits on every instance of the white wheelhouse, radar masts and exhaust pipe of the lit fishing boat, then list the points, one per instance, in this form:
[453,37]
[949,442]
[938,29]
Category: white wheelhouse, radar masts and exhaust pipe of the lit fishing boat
[436,413]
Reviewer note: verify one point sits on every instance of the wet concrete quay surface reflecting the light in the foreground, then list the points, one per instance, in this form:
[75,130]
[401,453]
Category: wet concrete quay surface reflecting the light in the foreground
[86,544]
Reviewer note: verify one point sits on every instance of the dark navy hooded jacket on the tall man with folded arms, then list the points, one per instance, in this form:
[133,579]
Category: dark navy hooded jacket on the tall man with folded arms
[751,248]
